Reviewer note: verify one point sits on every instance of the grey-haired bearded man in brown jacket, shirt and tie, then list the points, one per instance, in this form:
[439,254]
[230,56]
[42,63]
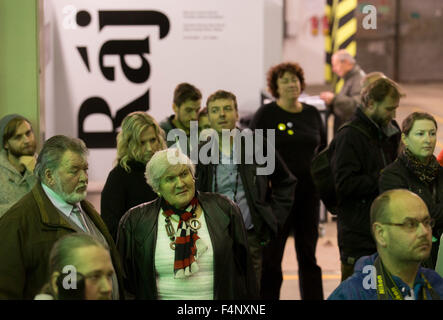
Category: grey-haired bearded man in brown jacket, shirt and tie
[53,208]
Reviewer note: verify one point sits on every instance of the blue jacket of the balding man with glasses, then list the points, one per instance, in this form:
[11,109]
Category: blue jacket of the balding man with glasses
[352,288]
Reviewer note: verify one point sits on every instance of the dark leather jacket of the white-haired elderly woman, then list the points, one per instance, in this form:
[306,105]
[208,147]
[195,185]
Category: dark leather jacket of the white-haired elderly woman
[233,273]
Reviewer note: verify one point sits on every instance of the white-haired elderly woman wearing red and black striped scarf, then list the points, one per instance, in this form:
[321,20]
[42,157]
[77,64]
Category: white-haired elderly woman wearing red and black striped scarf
[185,244]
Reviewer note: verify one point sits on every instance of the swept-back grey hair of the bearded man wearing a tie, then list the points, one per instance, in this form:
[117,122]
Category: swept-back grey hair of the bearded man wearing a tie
[52,153]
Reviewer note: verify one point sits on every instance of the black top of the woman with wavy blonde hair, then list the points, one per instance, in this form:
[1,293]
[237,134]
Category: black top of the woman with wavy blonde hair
[122,191]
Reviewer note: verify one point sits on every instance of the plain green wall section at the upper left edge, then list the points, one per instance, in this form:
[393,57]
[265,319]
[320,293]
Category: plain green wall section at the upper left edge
[19,62]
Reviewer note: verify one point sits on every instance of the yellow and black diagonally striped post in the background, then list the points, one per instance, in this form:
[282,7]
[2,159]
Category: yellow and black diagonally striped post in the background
[342,30]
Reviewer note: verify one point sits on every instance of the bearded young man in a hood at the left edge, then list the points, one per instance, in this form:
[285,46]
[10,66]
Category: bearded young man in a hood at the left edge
[16,142]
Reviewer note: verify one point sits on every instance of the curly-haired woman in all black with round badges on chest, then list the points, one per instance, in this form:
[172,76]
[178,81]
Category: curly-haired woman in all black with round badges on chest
[299,136]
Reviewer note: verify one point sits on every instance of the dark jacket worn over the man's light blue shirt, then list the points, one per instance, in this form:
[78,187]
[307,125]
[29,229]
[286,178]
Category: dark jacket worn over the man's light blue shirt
[269,197]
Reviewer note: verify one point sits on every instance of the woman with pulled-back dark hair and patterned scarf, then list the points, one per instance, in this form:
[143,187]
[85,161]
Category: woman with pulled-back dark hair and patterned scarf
[417,170]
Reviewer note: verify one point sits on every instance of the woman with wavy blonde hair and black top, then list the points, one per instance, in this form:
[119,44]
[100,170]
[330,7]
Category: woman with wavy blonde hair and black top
[126,185]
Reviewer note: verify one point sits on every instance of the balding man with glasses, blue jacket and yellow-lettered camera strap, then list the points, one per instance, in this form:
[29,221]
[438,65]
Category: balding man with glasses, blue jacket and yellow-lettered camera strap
[402,229]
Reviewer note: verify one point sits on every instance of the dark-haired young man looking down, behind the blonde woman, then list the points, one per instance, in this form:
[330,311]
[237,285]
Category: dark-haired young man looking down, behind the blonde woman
[186,104]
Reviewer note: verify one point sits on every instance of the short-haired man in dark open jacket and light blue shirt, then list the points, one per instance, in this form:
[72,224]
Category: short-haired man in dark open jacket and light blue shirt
[238,176]
